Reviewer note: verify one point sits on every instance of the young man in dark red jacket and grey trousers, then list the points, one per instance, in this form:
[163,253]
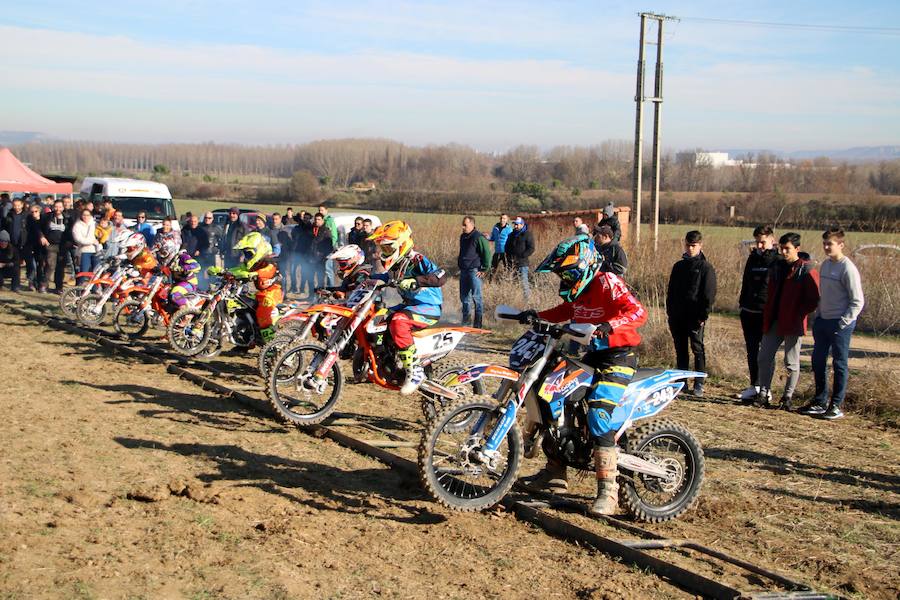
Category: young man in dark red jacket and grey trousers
[793,293]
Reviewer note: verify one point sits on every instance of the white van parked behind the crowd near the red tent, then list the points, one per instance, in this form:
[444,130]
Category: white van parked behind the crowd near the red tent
[132,196]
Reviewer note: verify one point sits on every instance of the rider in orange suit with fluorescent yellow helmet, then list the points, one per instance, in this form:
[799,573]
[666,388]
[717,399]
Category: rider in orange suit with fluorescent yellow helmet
[255,250]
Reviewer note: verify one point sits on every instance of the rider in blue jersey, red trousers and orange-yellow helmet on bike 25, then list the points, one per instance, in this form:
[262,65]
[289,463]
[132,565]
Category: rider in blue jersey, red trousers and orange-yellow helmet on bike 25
[419,282]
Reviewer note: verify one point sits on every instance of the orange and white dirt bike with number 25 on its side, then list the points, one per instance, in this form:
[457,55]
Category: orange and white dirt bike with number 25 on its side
[305,383]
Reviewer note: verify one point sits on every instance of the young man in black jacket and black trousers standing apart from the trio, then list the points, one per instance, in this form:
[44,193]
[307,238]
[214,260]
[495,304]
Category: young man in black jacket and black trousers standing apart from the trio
[690,297]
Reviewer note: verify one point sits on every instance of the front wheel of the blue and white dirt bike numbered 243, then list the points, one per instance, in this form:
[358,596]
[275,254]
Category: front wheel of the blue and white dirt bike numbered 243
[453,464]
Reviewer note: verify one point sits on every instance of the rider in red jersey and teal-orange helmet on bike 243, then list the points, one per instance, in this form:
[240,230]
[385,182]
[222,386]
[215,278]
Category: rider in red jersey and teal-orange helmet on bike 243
[604,300]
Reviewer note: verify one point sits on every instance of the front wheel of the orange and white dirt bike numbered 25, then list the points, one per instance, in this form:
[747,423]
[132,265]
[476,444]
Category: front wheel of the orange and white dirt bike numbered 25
[297,396]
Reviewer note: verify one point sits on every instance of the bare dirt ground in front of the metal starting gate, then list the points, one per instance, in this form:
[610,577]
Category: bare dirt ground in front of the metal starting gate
[119,481]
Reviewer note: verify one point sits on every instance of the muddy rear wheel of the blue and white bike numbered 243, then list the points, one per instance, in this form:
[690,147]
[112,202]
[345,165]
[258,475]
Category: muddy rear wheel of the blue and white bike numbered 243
[672,446]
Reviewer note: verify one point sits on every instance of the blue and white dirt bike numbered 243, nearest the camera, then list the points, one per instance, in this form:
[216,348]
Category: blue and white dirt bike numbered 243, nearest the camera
[470,453]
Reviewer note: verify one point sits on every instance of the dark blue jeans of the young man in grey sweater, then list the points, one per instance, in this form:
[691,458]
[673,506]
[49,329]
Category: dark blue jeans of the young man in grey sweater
[828,337]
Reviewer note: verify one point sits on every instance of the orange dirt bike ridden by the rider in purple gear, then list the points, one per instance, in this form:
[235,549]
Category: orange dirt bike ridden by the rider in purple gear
[154,307]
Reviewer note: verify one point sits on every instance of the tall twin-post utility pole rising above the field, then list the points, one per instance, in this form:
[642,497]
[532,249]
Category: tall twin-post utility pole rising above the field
[657,99]
